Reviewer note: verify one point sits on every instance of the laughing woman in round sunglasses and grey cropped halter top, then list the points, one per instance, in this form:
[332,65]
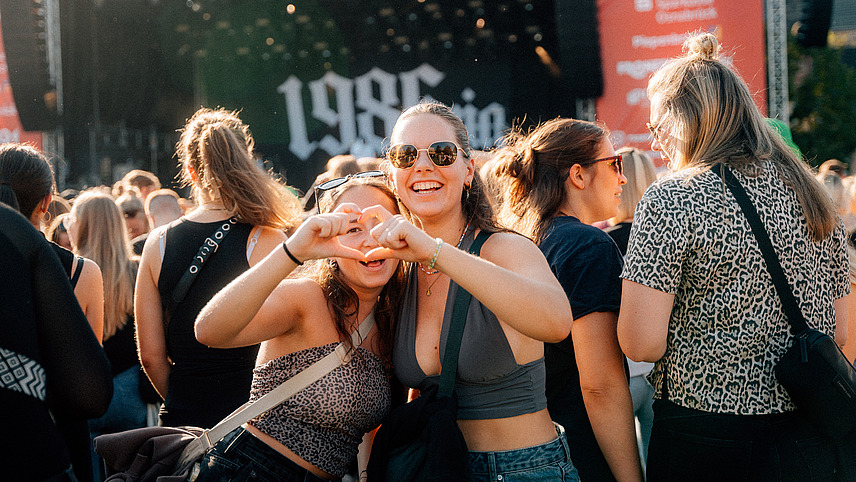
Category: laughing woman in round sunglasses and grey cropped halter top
[517,303]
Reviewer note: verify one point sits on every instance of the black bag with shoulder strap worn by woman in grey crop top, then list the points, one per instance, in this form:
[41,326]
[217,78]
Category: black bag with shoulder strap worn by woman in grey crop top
[420,440]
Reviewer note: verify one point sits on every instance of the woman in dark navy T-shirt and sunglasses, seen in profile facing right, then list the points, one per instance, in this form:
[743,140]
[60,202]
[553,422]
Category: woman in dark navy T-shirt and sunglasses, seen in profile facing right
[558,180]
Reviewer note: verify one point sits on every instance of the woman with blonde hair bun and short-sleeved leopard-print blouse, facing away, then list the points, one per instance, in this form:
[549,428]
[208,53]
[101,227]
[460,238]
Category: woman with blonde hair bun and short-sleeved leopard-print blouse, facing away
[697,299]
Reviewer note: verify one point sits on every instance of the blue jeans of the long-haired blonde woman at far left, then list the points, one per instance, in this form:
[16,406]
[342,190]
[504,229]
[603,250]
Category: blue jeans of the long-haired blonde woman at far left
[126,411]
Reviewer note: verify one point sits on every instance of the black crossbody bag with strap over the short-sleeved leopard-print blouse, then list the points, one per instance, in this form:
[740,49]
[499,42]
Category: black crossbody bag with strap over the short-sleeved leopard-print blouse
[816,374]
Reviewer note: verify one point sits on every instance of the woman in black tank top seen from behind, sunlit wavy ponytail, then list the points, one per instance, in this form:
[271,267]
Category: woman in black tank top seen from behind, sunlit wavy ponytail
[202,385]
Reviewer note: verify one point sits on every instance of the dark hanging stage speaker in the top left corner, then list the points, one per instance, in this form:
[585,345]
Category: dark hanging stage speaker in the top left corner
[24,27]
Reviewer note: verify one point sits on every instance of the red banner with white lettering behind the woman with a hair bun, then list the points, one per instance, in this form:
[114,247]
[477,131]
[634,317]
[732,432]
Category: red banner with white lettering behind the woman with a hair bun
[638,36]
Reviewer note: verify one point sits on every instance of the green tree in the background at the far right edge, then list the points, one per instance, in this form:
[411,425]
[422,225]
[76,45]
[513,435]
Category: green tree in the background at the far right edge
[823,95]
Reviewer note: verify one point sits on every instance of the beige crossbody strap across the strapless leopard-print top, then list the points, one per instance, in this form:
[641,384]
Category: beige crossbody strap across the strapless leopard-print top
[287,389]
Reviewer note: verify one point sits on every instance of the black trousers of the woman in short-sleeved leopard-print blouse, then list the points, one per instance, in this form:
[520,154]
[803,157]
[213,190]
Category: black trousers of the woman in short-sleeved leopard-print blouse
[689,444]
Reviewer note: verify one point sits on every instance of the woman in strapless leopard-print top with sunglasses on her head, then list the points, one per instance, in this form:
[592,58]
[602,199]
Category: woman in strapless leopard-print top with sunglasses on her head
[299,320]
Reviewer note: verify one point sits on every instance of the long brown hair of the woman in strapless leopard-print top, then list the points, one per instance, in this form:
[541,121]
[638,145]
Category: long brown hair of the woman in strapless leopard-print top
[341,298]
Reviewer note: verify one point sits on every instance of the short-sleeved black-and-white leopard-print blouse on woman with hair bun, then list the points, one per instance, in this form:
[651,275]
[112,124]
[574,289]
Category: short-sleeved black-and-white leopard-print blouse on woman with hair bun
[727,328]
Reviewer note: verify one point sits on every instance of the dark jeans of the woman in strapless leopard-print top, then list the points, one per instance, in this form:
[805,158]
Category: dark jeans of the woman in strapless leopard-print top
[241,456]
